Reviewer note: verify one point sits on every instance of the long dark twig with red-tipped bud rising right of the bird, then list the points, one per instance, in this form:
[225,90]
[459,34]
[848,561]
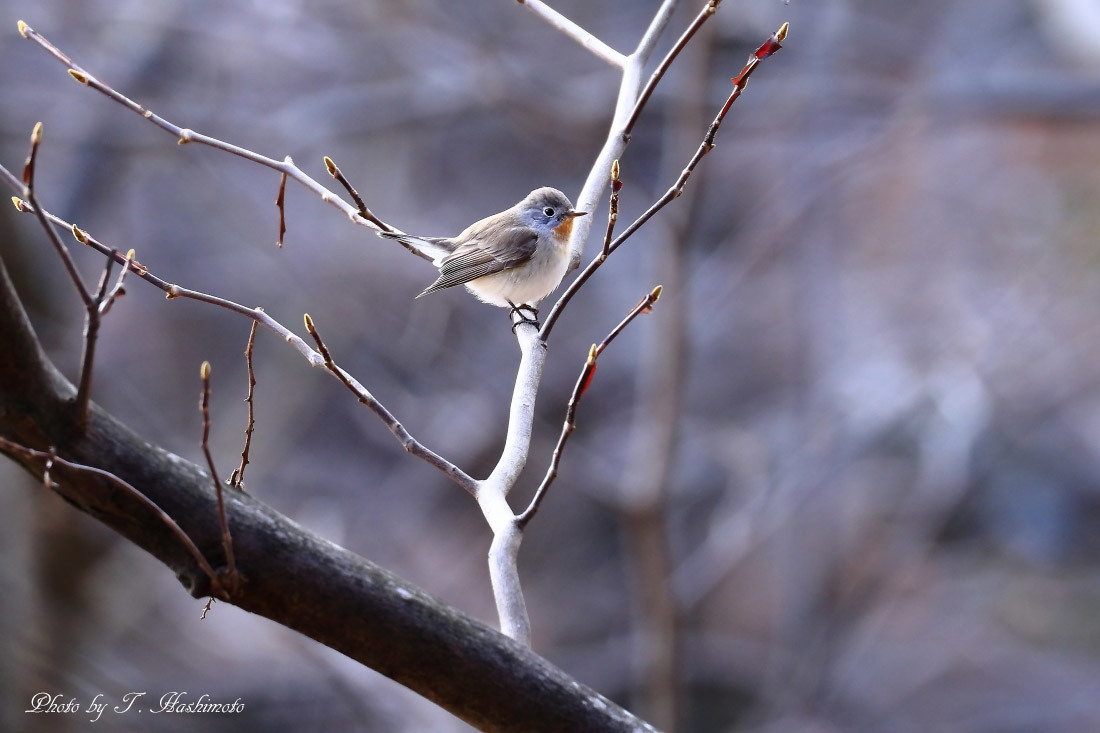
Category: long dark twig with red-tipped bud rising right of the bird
[767,49]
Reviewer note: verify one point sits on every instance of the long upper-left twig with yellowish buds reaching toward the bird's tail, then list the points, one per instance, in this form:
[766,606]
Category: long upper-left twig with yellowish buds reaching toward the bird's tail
[185,136]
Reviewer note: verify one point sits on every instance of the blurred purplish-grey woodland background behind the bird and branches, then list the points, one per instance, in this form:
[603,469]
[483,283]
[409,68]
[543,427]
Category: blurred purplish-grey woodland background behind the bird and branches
[845,477]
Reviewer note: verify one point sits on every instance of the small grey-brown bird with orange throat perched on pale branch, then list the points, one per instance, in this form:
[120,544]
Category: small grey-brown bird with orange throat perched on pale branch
[511,259]
